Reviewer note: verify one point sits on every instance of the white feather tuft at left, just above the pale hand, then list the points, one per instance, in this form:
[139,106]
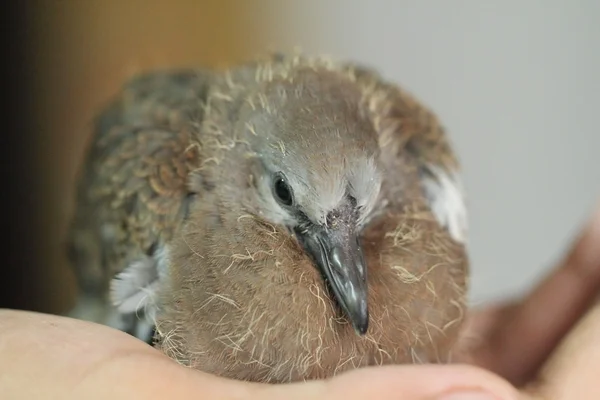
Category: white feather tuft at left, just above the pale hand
[135,288]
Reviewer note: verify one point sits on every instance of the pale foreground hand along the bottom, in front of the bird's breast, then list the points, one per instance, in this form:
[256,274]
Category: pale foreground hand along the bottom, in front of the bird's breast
[53,357]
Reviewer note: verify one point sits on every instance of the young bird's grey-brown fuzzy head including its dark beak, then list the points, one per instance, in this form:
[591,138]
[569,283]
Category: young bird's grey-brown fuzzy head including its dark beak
[315,171]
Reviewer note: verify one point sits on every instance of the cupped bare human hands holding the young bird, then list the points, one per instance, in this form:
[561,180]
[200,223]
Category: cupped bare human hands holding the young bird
[545,346]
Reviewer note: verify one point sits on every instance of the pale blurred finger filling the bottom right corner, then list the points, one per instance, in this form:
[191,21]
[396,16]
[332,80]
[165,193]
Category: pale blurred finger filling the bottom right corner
[572,371]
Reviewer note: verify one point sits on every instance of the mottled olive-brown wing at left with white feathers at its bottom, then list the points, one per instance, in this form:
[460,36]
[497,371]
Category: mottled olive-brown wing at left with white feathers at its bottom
[133,194]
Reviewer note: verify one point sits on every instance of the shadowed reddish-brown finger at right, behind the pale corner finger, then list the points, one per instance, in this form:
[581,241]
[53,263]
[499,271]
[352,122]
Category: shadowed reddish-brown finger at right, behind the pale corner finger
[520,344]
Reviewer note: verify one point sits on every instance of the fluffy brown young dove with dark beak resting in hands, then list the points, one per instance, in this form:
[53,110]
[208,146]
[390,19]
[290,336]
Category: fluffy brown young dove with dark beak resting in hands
[286,218]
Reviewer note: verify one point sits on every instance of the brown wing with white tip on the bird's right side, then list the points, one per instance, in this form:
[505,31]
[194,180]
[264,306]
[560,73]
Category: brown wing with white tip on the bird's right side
[408,128]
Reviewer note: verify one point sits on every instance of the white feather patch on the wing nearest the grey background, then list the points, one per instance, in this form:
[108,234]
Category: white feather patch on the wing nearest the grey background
[448,202]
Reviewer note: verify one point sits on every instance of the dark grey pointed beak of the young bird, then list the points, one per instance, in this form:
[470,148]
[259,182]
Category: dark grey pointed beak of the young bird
[338,254]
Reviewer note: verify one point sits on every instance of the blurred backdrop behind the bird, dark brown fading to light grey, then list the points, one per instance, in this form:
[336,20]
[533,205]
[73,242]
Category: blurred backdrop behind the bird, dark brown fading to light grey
[516,84]
